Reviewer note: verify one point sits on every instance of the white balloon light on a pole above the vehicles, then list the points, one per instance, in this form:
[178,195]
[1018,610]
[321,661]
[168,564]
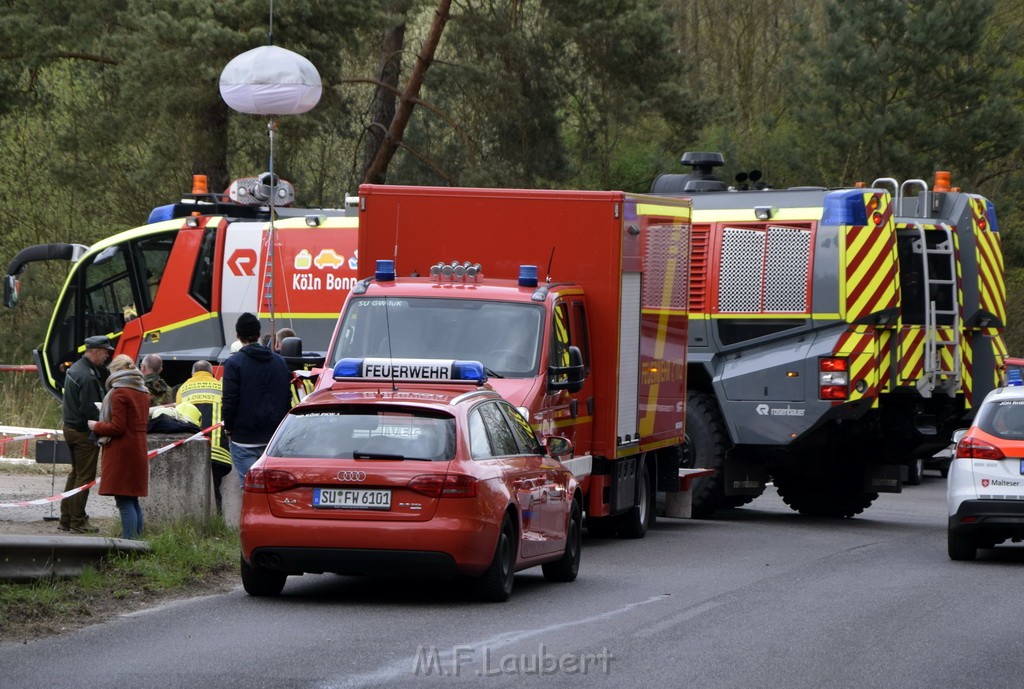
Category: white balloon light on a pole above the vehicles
[270,80]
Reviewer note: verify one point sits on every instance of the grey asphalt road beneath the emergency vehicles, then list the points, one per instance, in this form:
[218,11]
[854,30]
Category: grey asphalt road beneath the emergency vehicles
[760,598]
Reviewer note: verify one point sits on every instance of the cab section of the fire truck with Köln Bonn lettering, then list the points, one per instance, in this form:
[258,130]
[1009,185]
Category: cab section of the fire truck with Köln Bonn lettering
[177,285]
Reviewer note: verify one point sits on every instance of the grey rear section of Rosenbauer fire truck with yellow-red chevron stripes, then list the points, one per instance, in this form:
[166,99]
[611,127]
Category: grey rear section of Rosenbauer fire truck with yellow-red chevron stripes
[837,337]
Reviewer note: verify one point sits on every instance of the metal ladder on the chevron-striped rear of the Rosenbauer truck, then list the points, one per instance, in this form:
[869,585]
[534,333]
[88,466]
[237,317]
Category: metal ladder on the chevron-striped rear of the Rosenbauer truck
[940,372]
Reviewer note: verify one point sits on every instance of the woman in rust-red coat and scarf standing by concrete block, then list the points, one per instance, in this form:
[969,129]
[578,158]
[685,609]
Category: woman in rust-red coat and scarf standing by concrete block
[123,420]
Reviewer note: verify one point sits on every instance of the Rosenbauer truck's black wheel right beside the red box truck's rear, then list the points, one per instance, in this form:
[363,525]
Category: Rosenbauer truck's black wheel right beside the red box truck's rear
[706,447]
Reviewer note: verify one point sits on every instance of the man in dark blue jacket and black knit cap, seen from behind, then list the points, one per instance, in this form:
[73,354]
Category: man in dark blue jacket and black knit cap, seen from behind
[257,396]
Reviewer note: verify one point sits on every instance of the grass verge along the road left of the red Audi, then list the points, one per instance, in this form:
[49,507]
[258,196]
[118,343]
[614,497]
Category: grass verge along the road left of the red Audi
[186,559]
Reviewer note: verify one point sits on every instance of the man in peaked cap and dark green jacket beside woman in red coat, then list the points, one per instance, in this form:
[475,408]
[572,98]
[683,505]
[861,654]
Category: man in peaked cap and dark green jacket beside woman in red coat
[82,395]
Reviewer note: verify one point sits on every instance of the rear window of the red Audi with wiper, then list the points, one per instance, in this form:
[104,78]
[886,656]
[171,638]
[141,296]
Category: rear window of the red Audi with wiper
[366,433]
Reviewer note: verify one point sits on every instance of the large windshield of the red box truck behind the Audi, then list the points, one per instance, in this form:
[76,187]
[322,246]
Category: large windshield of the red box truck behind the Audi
[504,336]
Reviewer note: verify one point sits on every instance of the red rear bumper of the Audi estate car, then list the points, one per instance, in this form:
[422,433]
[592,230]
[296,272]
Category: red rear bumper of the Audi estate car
[442,547]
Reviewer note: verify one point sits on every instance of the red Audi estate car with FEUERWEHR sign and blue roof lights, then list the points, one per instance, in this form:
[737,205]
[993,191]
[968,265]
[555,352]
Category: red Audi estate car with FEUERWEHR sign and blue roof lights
[410,467]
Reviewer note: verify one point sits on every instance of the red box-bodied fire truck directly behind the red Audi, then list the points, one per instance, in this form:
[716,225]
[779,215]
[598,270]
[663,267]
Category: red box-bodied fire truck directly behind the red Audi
[574,302]
